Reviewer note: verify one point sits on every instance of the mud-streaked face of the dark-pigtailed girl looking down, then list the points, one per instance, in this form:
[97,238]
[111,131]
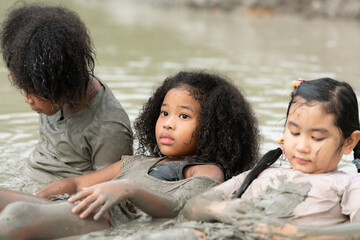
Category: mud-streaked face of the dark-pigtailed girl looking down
[312,143]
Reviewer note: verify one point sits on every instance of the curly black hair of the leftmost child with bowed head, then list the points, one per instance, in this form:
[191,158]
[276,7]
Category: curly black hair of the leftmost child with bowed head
[48,51]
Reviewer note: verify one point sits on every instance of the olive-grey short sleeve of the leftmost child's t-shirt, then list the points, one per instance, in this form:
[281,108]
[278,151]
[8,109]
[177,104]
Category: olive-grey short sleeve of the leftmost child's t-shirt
[113,140]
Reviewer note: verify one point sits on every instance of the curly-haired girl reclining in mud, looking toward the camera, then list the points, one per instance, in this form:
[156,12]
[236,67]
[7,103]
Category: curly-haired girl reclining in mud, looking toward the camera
[196,130]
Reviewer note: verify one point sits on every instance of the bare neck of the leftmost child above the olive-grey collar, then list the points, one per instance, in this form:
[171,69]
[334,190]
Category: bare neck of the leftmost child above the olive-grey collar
[93,86]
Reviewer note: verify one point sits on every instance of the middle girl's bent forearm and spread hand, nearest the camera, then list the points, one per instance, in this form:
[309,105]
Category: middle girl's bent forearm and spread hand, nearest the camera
[106,195]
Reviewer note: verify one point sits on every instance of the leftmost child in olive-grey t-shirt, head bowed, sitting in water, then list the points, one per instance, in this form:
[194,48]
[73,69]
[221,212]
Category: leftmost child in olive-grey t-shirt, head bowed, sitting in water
[50,57]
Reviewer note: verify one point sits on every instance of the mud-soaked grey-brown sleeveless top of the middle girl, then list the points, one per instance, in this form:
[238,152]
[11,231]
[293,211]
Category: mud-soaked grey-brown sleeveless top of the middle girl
[136,168]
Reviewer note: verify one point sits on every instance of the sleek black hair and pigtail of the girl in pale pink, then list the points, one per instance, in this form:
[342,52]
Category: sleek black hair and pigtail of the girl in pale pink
[337,98]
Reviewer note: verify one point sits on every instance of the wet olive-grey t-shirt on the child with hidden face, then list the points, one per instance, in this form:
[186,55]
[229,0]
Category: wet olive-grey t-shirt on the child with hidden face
[88,140]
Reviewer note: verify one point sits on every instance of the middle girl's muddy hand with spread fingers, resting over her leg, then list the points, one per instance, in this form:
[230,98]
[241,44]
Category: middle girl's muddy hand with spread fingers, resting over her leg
[103,196]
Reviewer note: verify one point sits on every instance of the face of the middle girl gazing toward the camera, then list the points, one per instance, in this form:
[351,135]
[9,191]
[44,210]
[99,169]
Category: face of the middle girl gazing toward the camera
[176,128]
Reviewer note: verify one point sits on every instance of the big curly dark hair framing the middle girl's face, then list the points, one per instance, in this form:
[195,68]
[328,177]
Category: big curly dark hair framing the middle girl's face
[228,131]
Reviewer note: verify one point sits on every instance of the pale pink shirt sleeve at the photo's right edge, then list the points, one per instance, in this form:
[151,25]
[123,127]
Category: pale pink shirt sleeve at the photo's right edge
[350,200]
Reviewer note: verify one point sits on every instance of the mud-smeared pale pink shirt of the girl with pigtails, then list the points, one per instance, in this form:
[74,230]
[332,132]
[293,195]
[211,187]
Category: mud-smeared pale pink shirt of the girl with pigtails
[325,199]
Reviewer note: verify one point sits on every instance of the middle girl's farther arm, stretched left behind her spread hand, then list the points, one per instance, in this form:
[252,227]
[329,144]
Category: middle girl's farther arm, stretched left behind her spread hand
[72,185]
